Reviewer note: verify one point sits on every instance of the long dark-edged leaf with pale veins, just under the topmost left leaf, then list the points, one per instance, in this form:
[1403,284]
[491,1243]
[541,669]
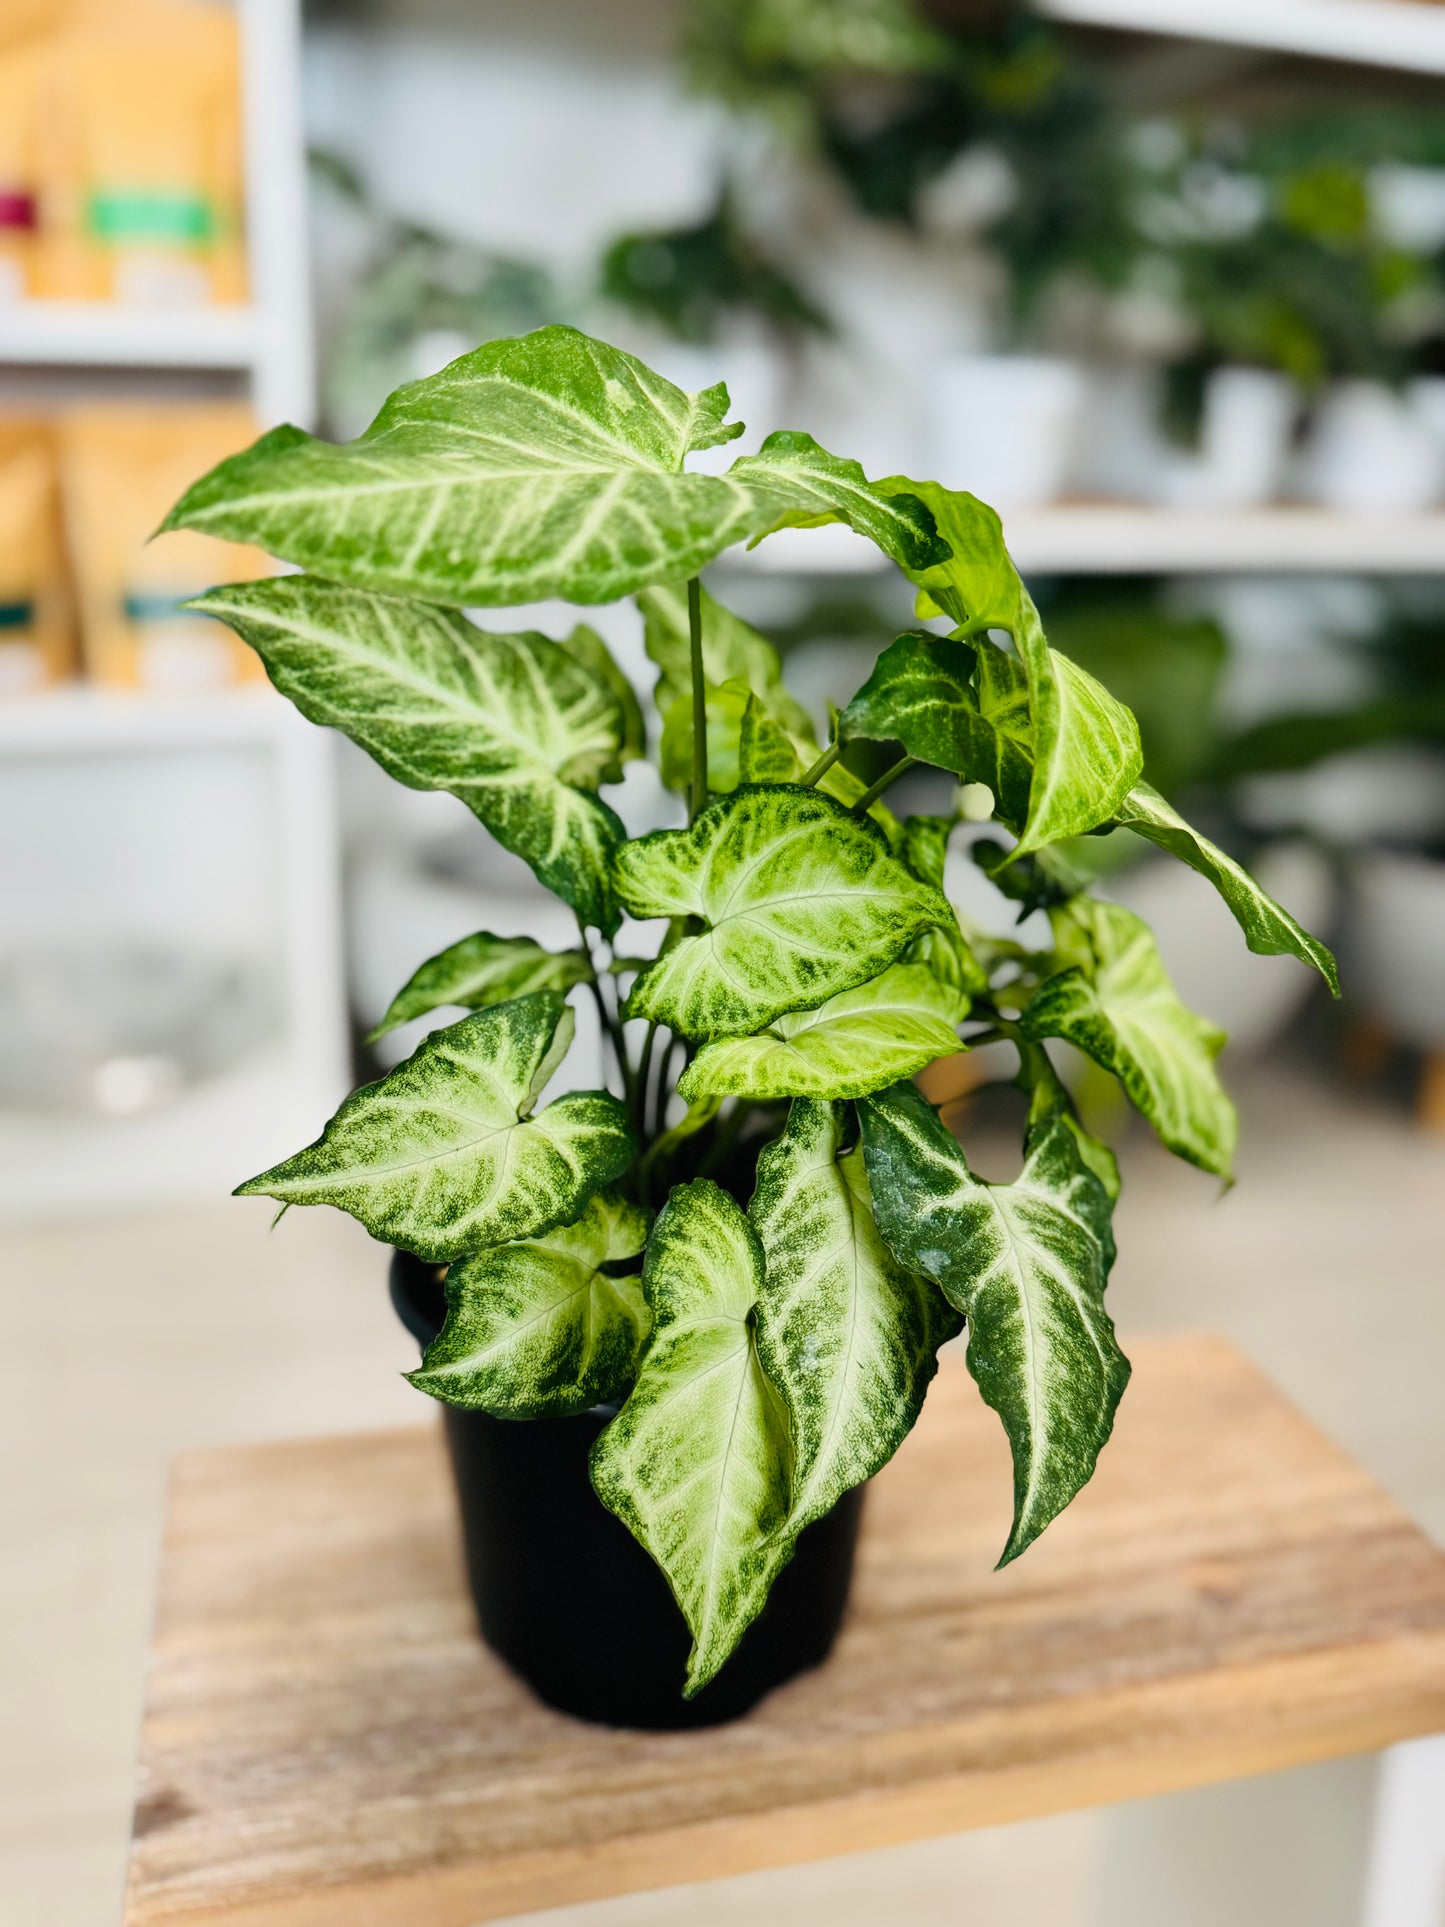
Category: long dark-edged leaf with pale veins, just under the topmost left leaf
[510,724]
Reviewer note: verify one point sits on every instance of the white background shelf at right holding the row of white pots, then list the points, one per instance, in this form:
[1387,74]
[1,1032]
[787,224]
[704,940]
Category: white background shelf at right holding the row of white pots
[1132,539]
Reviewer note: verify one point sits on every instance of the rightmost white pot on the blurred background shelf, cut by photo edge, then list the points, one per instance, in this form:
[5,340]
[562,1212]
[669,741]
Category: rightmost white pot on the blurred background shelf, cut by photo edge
[1373,454]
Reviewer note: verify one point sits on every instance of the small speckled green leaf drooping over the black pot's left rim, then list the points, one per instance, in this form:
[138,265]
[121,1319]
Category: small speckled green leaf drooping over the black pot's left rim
[539,1329]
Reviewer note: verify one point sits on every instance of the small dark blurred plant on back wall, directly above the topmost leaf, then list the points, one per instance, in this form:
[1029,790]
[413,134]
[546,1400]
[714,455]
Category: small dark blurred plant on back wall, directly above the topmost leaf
[693,280]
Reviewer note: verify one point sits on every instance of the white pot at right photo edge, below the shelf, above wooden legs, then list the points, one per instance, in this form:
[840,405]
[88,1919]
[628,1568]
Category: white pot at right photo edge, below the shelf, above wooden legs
[1398,943]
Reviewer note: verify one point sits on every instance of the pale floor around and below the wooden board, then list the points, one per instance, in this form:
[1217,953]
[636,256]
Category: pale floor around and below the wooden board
[128,1340]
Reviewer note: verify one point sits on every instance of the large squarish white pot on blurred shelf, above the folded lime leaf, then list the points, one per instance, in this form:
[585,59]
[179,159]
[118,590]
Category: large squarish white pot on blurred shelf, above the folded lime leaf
[1007,427]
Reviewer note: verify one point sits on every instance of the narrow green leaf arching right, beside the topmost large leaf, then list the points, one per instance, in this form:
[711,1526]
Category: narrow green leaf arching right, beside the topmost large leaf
[814,488]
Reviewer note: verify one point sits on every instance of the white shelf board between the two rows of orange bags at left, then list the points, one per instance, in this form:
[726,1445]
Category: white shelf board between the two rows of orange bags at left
[99,334]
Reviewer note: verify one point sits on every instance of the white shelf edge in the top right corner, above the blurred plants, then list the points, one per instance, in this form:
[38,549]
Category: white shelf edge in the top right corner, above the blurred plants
[1377,34]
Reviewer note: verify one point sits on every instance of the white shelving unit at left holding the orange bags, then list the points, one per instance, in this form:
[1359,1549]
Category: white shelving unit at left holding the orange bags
[211,781]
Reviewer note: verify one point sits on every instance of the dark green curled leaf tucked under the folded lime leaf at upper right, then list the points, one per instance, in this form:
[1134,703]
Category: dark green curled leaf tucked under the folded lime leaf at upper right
[953,706]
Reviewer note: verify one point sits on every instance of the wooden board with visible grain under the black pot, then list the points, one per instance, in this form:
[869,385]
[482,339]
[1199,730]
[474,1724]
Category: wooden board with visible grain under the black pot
[327,1743]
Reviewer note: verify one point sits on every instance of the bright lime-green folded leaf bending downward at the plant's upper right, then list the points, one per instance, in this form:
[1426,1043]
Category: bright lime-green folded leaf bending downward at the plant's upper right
[1086,745]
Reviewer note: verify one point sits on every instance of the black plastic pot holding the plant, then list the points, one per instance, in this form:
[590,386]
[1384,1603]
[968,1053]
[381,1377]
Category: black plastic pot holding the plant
[569,1598]
